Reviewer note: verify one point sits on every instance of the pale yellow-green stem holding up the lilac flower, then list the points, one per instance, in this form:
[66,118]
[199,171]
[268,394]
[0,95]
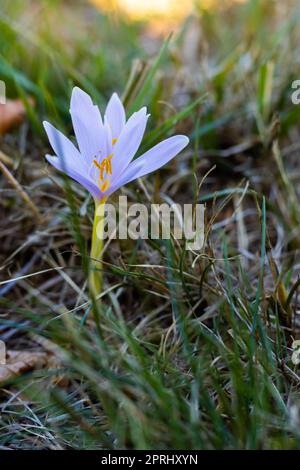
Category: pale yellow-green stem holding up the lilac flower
[95,276]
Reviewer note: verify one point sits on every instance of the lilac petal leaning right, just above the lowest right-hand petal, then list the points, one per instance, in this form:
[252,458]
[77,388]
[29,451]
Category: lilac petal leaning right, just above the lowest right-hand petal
[128,142]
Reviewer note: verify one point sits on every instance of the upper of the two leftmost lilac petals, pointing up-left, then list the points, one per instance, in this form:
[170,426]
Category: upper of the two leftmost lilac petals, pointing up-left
[64,148]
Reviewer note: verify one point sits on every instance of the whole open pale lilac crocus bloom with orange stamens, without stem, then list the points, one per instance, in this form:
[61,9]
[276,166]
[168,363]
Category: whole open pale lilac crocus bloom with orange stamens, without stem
[103,161]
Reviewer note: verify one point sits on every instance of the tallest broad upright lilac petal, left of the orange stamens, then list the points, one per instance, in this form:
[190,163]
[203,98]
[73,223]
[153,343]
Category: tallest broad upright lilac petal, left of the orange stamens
[88,125]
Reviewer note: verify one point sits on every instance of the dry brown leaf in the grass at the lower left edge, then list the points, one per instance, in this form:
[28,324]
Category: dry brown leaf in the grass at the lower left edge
[18,362]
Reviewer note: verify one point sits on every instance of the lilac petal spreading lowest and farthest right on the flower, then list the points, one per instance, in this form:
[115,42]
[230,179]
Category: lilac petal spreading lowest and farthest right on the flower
[158,156]
